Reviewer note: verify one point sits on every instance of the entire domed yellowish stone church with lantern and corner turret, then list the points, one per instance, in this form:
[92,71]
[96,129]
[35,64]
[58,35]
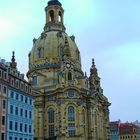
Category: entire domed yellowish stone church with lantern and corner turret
[68,104]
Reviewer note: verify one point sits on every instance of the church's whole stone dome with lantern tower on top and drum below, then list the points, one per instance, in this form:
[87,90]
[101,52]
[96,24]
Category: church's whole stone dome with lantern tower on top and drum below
[54,52]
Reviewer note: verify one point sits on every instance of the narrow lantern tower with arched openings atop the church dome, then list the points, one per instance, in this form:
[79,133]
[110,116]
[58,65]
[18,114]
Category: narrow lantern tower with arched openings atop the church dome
[54,16]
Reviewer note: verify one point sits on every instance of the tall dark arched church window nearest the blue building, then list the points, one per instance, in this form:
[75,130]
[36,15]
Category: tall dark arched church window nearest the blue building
[51,118]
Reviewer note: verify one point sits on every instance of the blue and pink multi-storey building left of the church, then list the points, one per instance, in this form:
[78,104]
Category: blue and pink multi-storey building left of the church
[16,97]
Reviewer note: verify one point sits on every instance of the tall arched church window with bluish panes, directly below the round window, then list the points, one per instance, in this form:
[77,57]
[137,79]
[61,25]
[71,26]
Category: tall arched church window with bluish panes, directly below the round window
[71,121]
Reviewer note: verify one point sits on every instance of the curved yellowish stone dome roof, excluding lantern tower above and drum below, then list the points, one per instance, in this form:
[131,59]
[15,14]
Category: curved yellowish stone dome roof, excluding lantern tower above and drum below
[51,48]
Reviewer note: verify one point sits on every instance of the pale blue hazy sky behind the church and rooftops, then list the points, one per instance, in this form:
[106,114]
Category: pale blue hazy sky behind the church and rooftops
[107,30]
